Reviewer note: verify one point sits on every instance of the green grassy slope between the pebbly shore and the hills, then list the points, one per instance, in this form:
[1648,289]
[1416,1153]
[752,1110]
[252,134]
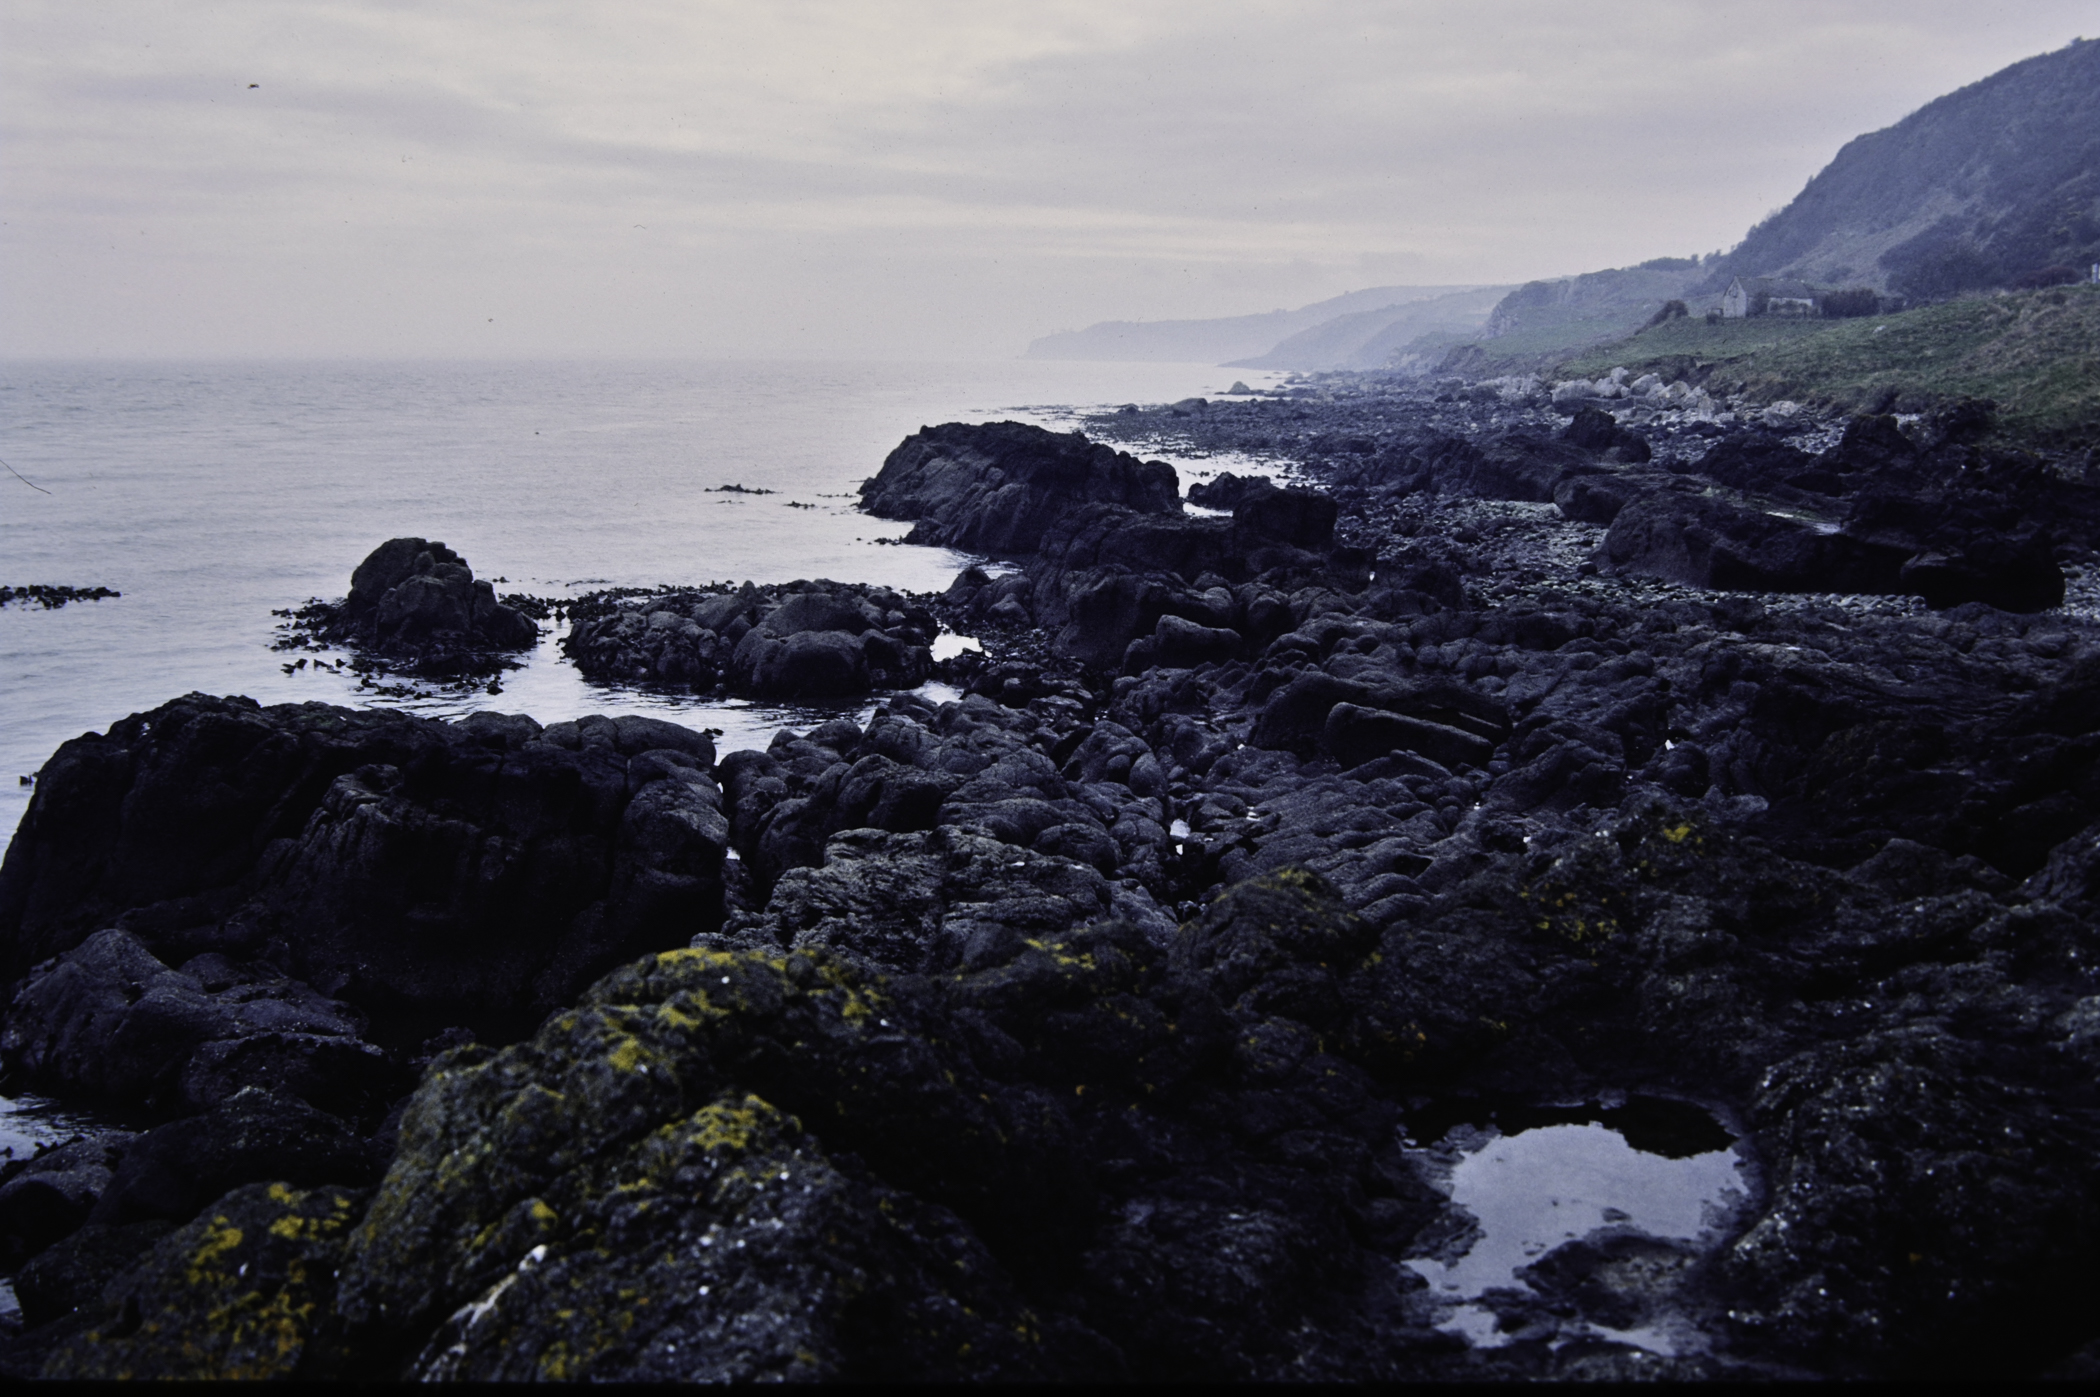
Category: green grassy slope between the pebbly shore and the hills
[2036,354]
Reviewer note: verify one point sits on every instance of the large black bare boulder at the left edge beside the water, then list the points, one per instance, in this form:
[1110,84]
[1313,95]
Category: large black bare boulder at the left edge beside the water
[427,873]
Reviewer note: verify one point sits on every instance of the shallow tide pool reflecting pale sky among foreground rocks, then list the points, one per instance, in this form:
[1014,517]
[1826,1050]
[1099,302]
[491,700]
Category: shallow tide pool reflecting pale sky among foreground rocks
[1521,1196]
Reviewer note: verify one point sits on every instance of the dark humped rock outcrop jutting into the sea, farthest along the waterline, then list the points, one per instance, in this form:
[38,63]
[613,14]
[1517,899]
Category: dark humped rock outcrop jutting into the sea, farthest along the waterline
[1001,486]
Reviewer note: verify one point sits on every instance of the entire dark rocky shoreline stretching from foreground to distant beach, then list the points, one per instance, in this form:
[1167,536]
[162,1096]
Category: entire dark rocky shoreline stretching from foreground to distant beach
[1721,780]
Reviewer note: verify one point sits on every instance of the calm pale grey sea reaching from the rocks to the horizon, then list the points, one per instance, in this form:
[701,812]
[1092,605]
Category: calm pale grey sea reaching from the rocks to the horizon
[215,493]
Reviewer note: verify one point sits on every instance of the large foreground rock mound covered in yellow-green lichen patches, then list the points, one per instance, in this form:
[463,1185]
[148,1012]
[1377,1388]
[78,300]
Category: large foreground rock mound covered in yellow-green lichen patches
[612,1201]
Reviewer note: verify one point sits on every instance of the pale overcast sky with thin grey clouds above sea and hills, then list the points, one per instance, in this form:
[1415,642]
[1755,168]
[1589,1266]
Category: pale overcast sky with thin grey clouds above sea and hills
[900,180]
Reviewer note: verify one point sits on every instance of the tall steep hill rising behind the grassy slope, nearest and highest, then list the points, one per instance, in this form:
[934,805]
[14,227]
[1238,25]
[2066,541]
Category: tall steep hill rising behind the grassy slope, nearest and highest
[1975,190]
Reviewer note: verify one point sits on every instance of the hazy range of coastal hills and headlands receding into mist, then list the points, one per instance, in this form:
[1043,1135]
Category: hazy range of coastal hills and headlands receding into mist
[1988,188]
